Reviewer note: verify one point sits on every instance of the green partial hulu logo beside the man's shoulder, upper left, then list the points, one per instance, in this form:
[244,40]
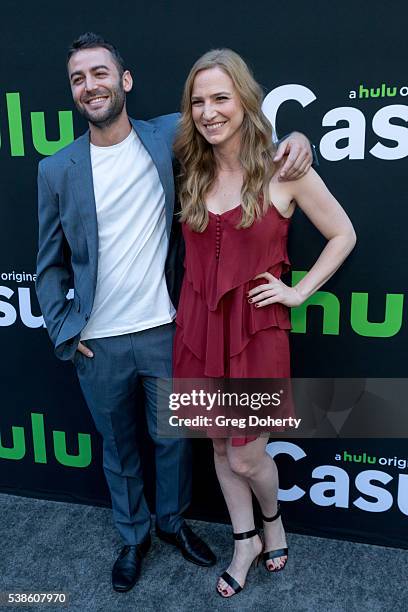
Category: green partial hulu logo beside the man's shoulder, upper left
[38,129]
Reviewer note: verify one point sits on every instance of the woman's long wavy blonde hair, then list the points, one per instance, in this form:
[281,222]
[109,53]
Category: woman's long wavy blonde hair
[196,157]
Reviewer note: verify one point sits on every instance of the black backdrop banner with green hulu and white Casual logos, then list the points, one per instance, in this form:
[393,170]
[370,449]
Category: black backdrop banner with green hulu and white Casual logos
[333,71]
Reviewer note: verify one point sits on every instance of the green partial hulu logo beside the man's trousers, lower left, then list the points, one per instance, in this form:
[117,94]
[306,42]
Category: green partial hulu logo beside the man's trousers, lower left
[18,450]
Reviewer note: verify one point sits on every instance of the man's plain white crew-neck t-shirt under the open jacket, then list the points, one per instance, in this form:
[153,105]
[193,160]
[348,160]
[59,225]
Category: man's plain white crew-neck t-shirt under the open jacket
[131,292]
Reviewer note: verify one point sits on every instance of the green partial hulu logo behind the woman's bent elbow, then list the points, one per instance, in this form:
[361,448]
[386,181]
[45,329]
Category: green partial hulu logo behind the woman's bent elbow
[330,306]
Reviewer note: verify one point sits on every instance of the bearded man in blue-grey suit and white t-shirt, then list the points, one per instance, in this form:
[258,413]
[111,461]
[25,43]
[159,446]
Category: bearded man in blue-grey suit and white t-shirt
[106,205]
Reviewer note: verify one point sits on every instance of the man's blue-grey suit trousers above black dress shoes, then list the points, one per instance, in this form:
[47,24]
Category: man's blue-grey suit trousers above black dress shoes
[109,382]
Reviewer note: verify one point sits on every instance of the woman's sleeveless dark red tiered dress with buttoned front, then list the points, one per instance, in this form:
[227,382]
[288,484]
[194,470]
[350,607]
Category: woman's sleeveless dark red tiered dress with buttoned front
[219,334]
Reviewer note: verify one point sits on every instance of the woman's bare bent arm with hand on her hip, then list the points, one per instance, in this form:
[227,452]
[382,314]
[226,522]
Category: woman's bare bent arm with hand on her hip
[330,219]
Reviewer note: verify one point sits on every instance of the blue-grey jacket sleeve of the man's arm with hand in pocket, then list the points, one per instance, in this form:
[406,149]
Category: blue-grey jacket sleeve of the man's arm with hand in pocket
[53,261]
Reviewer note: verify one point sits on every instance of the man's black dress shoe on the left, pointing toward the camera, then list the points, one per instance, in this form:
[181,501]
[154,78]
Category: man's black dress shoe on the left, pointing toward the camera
[126,569]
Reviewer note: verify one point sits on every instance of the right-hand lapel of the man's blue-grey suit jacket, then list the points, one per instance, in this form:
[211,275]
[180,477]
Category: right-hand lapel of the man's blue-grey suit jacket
[159,152]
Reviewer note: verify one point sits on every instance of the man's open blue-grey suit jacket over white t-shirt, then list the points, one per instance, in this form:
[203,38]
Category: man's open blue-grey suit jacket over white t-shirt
[68,232]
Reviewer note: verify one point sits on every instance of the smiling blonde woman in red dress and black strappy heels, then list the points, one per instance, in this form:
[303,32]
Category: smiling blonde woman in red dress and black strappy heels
[233,315]
